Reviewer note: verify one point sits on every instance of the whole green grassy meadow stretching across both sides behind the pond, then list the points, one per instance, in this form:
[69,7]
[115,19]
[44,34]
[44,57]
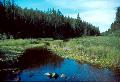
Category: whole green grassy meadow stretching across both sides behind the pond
[102,50]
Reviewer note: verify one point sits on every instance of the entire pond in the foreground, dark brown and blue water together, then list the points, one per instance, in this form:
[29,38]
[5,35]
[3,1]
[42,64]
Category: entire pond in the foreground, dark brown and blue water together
[35,62]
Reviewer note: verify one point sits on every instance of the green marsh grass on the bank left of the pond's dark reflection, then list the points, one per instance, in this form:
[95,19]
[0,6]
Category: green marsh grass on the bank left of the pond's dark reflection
[14,48]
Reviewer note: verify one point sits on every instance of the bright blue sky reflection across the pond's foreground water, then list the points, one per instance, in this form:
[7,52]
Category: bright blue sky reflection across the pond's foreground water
[73,72]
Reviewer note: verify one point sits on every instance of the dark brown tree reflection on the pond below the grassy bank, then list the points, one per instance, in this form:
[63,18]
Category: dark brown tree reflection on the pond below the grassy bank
[36,57]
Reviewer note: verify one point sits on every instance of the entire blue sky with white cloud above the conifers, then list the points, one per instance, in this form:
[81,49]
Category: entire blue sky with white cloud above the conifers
[100,13]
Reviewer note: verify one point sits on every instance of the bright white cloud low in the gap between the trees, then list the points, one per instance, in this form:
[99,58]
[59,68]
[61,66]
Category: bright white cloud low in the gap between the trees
[100,18]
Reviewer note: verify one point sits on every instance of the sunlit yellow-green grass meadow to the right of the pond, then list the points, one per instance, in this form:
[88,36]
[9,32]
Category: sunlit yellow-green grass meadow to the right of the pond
[102,50]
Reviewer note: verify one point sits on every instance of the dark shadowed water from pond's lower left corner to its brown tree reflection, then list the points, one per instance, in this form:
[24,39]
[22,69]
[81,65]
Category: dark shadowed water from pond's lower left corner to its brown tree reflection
[31,58]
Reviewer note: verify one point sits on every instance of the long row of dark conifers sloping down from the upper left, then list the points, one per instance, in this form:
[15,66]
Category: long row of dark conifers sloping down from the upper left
[29,23]
